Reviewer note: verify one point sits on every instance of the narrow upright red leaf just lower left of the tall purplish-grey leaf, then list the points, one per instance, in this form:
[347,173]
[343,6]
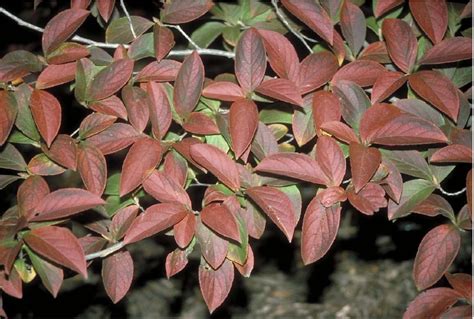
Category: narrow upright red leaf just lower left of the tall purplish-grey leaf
[160,109]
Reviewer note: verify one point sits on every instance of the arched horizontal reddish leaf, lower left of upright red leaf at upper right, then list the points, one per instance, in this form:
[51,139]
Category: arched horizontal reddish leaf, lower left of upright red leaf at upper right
[361,72]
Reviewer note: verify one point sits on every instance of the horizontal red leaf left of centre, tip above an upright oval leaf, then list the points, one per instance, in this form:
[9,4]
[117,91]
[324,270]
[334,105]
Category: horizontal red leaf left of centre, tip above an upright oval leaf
[115,138]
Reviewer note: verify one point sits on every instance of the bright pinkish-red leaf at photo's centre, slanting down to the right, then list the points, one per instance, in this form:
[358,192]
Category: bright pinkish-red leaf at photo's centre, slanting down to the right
[218,163]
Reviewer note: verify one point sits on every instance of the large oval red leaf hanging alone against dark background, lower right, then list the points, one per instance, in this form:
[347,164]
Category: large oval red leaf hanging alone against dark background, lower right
[435,254]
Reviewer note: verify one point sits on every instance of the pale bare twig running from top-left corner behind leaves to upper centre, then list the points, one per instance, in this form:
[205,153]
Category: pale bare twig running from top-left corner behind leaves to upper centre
[104,45]
